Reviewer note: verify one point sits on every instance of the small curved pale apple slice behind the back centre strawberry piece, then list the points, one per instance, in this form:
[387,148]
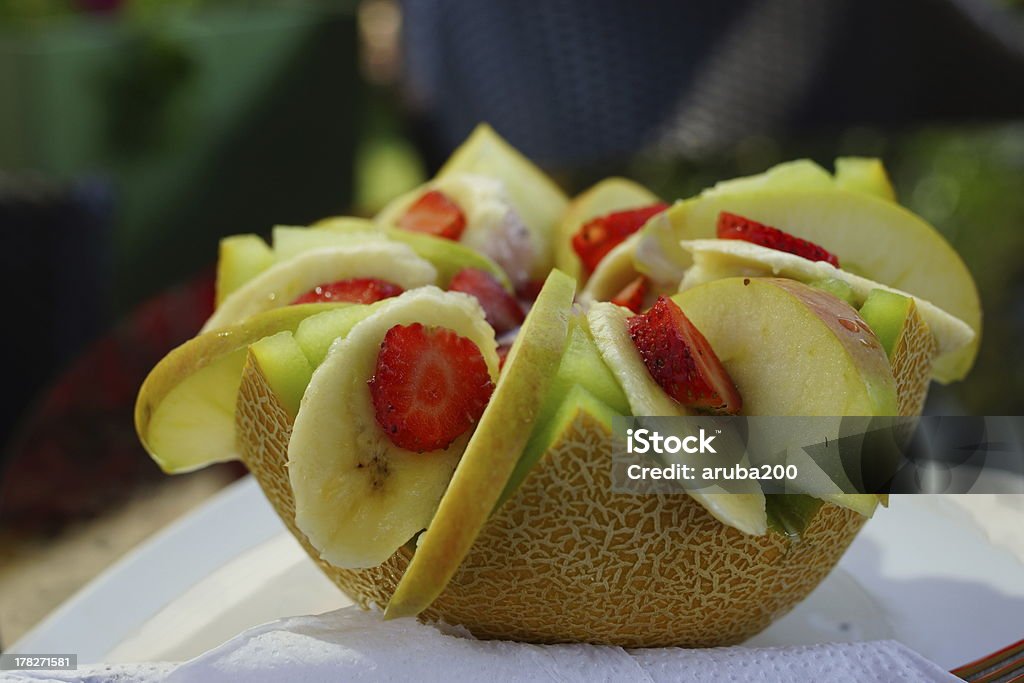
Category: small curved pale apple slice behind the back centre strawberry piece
[607,197]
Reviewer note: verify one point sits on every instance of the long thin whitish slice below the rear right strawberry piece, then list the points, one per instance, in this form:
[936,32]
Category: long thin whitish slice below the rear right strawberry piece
[714,260]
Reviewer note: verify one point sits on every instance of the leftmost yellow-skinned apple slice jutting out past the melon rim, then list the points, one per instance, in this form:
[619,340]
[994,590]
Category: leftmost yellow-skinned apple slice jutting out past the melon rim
[185,414]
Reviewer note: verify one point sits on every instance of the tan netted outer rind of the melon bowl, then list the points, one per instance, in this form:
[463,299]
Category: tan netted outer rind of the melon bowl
[567,560]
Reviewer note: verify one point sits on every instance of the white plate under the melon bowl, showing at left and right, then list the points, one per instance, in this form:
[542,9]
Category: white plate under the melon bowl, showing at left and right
[922,573]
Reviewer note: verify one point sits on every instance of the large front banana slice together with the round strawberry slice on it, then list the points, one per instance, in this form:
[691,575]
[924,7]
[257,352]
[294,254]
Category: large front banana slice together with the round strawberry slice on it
[385,422]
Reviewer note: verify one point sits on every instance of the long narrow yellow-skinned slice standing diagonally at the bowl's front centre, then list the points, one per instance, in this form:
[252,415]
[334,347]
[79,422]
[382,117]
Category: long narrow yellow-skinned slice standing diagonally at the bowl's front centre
[493,452]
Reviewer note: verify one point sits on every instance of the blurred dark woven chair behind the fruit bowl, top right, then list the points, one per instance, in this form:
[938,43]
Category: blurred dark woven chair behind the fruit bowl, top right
[575,82]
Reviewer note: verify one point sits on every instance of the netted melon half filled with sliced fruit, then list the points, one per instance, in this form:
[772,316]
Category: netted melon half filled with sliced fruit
[428,398]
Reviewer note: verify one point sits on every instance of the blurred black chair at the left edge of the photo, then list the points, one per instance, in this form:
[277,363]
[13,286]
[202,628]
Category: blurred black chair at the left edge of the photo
[55,273]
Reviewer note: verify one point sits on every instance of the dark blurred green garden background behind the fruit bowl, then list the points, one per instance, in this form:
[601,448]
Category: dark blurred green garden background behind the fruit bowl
[136,134]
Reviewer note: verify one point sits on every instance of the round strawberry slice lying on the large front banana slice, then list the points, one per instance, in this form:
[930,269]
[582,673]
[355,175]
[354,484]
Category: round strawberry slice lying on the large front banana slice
[430,388]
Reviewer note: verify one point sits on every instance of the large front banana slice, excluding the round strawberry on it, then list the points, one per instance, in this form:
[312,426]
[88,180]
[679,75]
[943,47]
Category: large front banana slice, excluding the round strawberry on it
[359,497]
